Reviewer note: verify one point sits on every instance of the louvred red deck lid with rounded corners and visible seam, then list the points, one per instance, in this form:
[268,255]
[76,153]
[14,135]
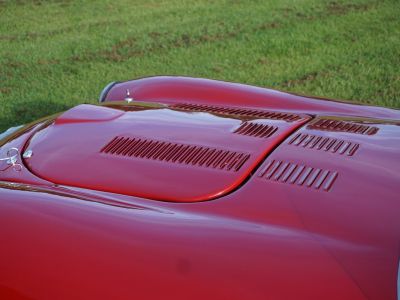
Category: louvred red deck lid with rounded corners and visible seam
[183,153]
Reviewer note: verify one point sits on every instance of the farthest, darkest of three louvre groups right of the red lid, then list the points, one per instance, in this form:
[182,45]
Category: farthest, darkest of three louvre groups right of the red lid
[335,125]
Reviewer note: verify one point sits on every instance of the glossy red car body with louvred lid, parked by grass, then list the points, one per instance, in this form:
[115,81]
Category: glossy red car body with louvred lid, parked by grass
[182,188]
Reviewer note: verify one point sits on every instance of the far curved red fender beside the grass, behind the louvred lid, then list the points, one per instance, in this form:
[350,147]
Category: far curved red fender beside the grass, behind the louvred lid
[169,89]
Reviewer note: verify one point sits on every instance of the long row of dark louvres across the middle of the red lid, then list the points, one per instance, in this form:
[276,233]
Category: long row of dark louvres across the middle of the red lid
[176,153]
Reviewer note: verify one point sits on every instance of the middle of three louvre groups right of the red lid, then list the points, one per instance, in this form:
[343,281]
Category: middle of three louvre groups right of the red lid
[325,143]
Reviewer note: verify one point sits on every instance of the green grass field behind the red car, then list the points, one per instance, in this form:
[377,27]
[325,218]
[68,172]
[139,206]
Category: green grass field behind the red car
[57,53]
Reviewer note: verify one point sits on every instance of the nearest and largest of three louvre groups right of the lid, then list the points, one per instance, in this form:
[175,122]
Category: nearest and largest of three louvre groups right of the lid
[300,175]
